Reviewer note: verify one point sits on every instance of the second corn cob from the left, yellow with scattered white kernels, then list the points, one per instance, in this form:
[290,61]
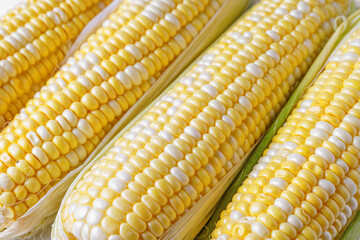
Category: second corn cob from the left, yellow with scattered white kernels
[69,116]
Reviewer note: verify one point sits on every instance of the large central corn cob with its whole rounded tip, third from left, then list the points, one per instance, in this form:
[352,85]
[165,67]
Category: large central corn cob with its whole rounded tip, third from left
[191,138]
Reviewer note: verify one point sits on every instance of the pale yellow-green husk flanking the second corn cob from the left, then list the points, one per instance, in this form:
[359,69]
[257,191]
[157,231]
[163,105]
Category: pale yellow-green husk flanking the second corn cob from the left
[36,217]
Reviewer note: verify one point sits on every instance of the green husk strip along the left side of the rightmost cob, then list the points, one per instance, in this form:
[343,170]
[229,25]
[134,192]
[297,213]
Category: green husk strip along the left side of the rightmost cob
[343,31]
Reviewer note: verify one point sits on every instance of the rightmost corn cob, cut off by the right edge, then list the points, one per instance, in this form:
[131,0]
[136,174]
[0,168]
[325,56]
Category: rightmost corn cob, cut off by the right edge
[306,186]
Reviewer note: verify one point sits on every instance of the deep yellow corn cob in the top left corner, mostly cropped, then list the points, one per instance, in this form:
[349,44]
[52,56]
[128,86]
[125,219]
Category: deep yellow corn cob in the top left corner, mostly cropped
[34,39]
